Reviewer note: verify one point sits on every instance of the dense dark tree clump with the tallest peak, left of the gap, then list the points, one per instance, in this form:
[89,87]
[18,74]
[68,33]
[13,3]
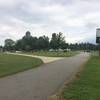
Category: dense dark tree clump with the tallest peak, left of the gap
[28,43]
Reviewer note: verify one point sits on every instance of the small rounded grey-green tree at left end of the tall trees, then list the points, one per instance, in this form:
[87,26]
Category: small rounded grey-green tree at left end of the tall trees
[9,44]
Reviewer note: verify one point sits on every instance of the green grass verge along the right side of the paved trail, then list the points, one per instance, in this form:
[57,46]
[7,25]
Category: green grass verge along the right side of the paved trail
[87,87]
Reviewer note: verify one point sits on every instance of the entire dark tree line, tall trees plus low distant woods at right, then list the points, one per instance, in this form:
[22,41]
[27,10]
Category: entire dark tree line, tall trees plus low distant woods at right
[57,41]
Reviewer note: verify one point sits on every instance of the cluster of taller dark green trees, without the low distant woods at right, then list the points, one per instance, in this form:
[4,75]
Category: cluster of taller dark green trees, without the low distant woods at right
[29,43]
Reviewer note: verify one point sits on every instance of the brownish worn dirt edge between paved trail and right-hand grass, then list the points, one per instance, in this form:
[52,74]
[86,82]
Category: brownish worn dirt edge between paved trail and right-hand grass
[74,76]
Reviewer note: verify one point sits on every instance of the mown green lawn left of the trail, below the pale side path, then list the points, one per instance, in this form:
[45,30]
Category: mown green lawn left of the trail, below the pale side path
[10,64]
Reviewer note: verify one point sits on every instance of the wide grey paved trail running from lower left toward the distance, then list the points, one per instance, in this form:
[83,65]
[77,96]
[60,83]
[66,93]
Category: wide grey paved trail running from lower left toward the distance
[40,83]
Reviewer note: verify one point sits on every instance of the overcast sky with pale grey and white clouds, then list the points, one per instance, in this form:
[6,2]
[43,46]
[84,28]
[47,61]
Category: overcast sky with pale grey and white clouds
[77,19]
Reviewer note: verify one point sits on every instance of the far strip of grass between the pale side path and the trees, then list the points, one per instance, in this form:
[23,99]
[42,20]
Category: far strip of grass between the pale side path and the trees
[55,54]
